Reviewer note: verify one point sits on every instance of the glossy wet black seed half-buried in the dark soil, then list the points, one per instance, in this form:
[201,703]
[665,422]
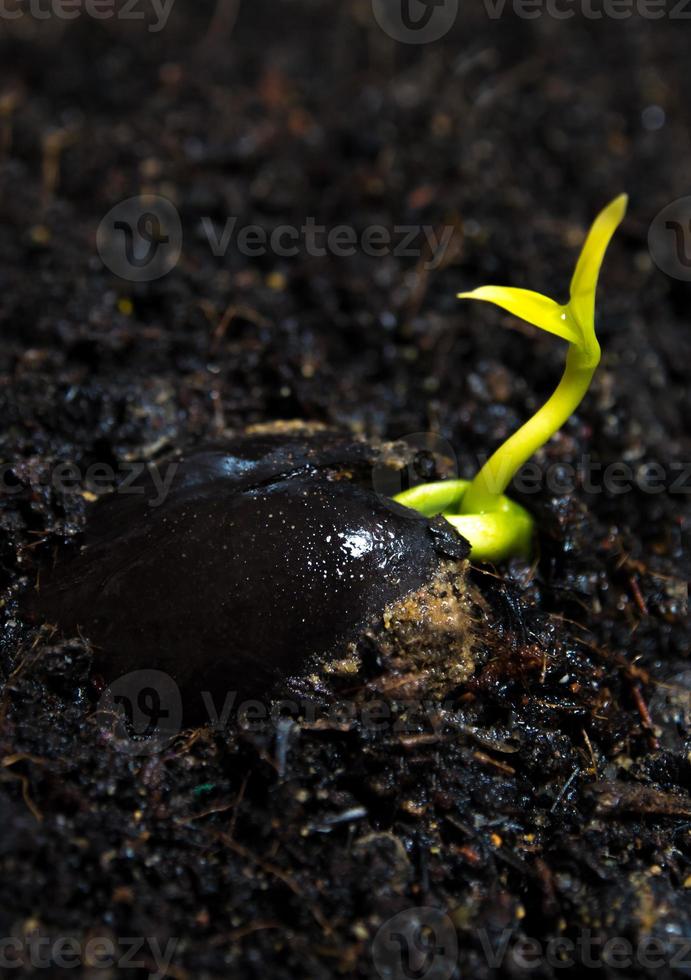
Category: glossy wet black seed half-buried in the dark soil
[261,556]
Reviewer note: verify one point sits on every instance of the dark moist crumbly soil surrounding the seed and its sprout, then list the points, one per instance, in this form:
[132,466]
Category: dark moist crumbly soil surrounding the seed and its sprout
[548,795]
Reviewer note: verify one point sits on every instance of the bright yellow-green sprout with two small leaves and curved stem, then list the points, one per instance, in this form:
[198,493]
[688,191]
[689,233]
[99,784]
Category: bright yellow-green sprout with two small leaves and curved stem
[496,526]
